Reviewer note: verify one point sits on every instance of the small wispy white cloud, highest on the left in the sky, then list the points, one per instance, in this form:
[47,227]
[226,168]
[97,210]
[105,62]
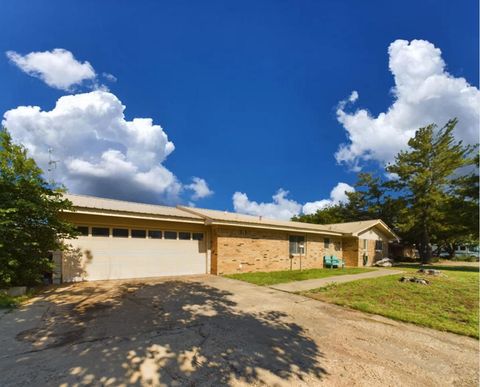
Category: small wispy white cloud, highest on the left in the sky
[57,68]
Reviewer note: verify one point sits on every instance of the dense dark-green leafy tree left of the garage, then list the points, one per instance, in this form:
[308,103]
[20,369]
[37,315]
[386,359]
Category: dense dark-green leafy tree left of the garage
[30,225]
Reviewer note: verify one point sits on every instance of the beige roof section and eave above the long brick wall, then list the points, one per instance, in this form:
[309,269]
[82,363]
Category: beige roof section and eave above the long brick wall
[225,218]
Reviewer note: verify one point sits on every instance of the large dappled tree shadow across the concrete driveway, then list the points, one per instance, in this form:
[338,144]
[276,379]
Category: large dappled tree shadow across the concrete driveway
[173,333]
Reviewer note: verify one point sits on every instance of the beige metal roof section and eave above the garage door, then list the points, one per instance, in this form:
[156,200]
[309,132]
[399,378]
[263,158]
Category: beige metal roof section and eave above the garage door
[111,207]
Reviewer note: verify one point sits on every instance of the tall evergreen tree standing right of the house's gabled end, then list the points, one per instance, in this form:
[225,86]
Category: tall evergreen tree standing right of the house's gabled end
[428,174]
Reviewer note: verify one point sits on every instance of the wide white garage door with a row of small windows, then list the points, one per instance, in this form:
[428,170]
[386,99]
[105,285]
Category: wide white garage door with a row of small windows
[119,257]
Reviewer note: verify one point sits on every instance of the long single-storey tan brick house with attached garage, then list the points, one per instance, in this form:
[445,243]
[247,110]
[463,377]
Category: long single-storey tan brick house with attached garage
[120,239]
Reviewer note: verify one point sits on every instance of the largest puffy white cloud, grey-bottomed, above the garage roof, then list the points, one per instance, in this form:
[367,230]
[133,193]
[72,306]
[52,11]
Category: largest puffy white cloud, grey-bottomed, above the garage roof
[98,151]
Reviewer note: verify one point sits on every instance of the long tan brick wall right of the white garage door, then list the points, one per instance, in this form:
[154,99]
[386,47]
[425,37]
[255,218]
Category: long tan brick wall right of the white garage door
[237,250]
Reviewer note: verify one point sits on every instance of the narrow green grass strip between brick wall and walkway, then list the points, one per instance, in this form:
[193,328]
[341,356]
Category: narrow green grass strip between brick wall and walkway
[278,277]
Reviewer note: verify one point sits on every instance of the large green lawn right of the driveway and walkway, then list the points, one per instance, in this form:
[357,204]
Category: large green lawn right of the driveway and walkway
[449,303]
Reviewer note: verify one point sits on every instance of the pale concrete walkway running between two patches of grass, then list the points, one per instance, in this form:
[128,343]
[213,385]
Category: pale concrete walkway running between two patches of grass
[300,286]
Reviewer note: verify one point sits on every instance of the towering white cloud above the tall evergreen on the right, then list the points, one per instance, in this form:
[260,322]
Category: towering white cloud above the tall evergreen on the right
[424,93]
